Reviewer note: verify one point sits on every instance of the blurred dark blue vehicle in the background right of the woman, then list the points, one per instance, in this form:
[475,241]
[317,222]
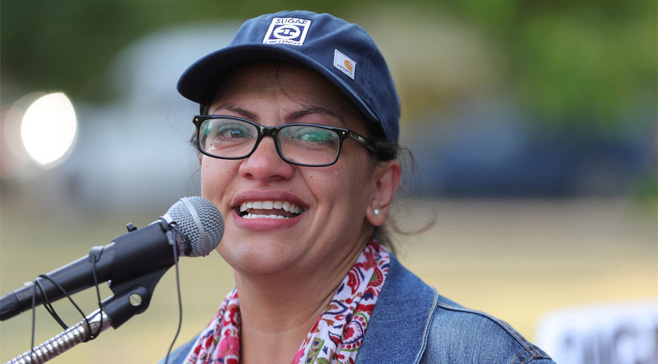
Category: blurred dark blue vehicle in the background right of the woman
[490,149]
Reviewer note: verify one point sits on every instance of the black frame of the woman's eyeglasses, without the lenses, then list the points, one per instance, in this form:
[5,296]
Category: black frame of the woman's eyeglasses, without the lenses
[274,132]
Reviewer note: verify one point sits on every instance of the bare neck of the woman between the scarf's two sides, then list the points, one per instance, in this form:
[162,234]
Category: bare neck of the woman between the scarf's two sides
[279,310]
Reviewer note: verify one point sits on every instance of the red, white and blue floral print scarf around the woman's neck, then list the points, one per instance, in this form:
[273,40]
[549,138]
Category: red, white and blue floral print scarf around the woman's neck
[336,336]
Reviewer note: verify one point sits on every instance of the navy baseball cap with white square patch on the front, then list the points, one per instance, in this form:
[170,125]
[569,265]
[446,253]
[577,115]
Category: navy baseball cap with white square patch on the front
[340,51]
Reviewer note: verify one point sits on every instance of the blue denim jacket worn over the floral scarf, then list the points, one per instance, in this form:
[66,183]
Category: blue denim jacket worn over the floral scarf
[412,323]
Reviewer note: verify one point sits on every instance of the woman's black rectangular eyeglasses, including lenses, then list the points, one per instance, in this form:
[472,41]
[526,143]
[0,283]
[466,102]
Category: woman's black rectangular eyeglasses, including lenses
[309,145]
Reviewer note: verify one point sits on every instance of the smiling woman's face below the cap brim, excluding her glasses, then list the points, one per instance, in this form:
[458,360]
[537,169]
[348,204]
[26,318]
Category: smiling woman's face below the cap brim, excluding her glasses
[327,210]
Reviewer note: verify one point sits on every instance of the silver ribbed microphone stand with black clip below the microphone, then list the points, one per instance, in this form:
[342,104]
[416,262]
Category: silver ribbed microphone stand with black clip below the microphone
[129,299]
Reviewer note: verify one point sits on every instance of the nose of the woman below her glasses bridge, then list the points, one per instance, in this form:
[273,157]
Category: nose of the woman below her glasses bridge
[265,164]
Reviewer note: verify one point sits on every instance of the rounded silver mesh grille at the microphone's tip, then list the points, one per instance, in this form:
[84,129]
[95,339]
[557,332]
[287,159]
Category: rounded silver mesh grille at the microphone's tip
[204,238]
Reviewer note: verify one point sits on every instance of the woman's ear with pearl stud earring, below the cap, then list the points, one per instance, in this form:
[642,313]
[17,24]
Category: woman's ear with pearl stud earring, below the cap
[387,175]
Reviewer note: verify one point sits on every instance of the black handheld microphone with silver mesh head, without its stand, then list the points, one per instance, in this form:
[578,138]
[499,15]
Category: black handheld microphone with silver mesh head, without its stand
[193,224]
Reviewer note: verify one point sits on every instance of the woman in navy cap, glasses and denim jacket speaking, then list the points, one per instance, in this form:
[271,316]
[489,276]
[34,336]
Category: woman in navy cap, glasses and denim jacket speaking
[298,140]
